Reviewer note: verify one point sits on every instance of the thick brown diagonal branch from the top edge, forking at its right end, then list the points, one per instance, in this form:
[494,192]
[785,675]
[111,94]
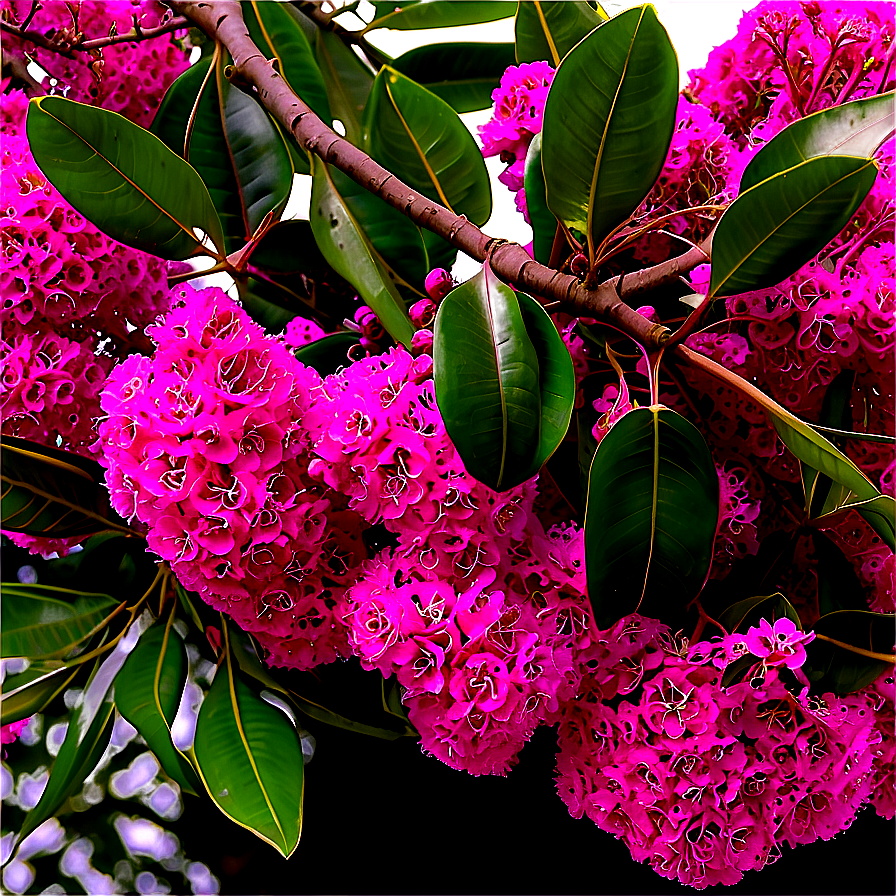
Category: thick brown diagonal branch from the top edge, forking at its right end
[222,20]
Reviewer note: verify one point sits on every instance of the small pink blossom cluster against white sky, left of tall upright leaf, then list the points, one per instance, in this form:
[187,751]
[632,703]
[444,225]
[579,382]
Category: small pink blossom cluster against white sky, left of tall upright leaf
[519,107]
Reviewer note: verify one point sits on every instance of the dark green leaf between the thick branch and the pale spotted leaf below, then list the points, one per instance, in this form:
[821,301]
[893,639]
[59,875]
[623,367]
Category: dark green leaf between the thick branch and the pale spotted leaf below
[394,237]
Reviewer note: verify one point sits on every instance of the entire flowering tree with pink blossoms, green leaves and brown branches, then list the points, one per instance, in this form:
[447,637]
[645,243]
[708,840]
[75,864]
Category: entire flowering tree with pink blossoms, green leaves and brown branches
[633,480]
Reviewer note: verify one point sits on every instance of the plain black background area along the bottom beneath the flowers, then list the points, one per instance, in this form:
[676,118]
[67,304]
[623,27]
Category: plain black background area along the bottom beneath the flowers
[382,818]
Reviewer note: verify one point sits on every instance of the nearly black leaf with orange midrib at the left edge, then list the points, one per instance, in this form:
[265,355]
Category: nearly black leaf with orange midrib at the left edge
[53,493]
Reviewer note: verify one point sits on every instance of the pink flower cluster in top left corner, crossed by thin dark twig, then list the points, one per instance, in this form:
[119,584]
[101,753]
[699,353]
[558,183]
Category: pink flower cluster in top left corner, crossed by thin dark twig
[128,78]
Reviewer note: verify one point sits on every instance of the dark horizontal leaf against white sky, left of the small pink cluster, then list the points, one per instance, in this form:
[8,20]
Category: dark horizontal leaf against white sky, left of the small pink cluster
[464,75]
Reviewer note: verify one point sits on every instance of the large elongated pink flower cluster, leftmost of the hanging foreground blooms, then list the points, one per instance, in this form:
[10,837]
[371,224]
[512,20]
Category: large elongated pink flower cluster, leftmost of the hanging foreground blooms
[204,444]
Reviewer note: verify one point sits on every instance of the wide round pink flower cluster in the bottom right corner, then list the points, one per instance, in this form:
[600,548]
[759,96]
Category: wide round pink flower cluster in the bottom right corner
[703,781]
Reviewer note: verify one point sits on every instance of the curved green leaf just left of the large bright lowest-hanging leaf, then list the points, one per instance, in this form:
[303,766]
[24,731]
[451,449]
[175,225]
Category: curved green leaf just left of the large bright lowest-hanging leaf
[148,691]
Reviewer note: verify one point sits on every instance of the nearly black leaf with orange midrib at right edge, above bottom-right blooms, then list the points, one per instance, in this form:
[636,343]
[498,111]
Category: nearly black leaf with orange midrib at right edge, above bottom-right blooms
[852,648]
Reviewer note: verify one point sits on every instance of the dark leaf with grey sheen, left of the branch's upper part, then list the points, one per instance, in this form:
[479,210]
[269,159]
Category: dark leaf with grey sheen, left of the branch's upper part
[258,153]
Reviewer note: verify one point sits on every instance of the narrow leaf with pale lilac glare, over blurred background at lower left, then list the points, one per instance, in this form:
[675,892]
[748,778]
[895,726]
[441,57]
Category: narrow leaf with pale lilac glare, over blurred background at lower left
[86,738]
